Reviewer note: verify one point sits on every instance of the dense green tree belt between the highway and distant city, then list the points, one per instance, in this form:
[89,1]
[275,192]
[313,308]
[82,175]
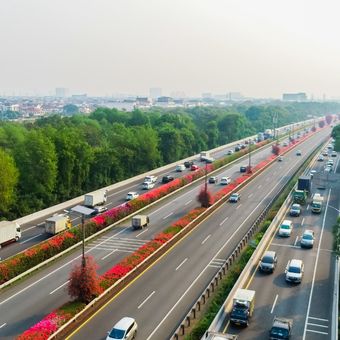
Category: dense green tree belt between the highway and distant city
[57,158]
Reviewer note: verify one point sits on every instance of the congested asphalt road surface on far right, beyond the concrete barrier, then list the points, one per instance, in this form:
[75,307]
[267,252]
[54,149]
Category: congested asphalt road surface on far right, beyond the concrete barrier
[308,304]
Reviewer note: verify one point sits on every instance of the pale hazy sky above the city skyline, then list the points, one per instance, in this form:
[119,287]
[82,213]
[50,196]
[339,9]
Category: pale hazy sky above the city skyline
[260,48]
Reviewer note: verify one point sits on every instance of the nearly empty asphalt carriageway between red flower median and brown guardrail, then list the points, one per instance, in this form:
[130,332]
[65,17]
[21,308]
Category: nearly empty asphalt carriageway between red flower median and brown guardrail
[174,283]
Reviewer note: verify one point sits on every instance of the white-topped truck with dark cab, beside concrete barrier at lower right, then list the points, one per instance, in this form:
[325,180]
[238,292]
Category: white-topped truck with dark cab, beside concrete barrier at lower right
[243,307]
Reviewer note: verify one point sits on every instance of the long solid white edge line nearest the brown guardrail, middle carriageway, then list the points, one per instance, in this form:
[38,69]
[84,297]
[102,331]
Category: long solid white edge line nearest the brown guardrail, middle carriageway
[201,273]
